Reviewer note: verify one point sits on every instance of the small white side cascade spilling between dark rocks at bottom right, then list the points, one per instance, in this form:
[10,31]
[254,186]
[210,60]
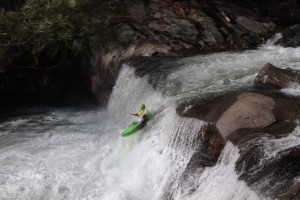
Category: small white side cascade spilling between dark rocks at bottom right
[221,181]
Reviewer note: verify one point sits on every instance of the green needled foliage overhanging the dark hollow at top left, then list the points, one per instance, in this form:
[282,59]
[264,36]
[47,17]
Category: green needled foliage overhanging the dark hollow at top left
[53,29]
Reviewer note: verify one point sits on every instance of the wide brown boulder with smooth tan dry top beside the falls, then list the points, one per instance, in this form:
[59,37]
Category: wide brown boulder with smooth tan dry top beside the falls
[237,114]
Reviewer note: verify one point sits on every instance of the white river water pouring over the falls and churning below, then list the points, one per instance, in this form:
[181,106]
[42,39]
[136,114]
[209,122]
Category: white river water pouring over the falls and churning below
[51,153]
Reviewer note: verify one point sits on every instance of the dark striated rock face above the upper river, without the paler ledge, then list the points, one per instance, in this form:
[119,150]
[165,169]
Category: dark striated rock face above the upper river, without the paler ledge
[206,26]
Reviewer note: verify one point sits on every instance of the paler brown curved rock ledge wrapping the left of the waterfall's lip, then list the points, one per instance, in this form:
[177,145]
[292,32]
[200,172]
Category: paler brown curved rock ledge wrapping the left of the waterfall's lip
[106,66]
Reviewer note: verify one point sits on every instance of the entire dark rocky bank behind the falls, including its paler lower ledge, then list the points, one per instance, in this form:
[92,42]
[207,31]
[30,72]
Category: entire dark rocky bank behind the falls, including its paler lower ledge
[176,28]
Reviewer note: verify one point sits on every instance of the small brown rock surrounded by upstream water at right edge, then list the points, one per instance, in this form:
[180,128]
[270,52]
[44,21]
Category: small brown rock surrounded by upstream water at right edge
[280,78]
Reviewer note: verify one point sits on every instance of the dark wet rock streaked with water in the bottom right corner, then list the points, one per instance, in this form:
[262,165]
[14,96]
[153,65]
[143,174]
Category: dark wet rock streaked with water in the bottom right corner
[279,170]
